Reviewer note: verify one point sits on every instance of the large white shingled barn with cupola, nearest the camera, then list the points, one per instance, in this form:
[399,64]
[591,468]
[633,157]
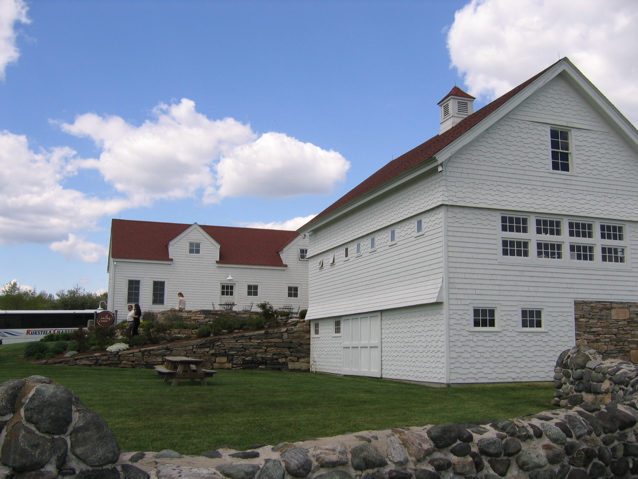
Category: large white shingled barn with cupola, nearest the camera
[460,261]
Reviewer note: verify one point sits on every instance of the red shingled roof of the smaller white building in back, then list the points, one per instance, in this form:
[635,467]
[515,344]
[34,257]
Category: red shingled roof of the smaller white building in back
[146,240]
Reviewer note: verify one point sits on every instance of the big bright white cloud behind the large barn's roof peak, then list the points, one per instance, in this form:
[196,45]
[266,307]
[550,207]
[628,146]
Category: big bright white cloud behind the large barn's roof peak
[498,44]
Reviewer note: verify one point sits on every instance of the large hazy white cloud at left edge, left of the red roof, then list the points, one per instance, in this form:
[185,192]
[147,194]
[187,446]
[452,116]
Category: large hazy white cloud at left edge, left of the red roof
[34,206]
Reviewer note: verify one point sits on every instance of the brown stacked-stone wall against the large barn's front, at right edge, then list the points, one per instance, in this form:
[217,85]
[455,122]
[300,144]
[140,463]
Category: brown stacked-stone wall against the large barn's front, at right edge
[609,328]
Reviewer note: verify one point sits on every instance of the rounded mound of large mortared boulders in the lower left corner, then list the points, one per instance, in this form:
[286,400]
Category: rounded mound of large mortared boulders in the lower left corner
[46,433]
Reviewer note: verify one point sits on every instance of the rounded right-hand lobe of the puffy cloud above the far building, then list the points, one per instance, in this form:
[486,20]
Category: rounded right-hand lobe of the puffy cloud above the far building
[278,166]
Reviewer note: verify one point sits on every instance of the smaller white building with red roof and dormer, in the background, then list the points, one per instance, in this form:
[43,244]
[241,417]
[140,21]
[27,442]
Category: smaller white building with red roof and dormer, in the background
[149,263]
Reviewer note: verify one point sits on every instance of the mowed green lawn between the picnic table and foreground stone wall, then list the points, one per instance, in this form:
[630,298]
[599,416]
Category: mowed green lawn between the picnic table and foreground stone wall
[246,407]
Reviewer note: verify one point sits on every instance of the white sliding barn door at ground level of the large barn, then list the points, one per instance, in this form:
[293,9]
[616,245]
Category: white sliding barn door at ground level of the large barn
[362,345]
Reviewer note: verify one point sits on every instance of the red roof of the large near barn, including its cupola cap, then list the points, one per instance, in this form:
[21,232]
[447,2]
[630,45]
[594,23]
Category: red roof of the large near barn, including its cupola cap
[424,151]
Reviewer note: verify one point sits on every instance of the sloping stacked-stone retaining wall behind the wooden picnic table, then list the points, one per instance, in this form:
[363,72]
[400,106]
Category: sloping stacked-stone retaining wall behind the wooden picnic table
[285,348]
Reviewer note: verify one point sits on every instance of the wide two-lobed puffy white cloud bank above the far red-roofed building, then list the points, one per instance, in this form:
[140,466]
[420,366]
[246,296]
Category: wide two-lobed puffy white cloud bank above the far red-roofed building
[181,153]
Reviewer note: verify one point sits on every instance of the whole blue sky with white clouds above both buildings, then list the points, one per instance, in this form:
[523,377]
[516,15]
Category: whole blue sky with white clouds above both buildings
[247,113]
